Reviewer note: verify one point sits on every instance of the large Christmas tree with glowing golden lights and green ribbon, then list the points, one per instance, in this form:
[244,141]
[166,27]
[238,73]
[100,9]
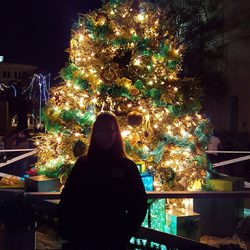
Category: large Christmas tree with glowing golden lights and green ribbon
[123,59]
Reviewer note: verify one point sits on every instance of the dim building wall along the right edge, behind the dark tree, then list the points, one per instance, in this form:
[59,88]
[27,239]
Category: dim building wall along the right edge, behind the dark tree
[232,112]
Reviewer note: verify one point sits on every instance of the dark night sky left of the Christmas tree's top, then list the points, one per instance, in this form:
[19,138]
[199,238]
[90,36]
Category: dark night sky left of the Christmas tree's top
[38,31]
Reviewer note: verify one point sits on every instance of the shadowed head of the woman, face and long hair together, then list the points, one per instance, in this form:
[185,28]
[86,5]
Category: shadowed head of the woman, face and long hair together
[106,135]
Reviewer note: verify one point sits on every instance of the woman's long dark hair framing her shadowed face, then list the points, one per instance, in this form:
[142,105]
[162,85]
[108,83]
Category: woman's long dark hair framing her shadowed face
[117,149]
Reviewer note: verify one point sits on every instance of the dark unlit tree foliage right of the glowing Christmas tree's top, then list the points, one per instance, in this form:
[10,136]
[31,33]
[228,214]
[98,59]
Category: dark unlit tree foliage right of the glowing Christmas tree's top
[198,26]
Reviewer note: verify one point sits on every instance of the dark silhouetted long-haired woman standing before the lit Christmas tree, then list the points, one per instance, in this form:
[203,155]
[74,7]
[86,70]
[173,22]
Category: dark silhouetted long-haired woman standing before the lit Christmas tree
[103,202]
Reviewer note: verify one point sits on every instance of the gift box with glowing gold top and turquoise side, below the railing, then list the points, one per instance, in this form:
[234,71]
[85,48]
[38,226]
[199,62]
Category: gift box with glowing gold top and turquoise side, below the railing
[183,223]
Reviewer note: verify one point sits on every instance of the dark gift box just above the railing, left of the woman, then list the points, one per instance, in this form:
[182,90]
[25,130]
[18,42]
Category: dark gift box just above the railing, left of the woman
[41,183]
